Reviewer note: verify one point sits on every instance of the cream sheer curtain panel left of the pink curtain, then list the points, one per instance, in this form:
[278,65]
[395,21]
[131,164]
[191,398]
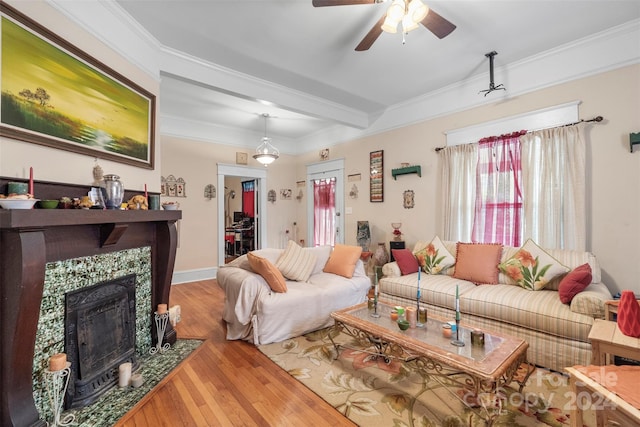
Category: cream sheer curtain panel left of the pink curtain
[458,172]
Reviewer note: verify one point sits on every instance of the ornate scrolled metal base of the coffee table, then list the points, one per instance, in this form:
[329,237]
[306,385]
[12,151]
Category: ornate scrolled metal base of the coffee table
[482,395]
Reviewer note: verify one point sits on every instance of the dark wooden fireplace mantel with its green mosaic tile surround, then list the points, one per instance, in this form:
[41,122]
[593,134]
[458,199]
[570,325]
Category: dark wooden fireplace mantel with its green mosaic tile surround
[42,244]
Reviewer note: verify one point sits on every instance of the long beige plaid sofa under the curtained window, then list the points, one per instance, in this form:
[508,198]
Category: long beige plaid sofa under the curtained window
[557,333]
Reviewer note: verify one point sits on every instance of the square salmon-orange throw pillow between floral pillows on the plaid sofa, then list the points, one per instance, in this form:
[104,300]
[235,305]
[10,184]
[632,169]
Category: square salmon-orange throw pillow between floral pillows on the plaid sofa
[478,262]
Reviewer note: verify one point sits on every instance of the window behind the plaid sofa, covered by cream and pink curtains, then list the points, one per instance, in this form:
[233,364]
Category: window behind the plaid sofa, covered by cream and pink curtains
[508,189]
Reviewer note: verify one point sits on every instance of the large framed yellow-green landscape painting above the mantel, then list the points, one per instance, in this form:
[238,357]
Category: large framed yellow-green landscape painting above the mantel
[56,95]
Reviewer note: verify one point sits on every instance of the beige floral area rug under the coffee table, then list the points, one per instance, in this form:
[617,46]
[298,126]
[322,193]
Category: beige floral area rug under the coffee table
[371,392]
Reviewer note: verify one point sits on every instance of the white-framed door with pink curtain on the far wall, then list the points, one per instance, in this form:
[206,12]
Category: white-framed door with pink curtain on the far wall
[327,220]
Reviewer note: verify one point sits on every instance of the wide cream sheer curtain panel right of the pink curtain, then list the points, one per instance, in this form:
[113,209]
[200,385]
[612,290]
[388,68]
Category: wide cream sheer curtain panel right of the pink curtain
[553,175]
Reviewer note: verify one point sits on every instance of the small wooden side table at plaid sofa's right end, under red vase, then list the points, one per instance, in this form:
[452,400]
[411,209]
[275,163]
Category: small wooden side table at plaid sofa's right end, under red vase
[606,338]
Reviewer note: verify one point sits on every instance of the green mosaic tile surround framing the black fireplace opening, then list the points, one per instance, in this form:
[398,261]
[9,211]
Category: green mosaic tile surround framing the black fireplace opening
[73,274]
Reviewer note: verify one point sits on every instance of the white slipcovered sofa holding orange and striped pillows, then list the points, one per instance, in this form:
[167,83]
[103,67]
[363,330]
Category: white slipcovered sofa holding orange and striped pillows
[255,313]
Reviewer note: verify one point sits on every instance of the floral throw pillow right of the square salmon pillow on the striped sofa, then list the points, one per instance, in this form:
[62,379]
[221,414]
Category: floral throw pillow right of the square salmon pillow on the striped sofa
[531,267]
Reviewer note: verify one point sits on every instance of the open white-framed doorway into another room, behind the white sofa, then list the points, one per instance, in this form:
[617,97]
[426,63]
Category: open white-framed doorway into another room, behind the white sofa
[234,173]
